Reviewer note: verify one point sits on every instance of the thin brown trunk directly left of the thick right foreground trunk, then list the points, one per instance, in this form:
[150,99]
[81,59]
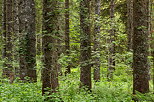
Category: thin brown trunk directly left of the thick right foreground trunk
[129,27]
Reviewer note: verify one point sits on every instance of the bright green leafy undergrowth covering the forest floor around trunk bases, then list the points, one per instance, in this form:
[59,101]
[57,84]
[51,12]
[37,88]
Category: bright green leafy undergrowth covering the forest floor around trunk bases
[119,90]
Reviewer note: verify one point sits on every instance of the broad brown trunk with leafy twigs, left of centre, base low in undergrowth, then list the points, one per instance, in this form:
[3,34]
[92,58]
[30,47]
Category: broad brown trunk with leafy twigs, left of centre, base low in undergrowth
[50,31]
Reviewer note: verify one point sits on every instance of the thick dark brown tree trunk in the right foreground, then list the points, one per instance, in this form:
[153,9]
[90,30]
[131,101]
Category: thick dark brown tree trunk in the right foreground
[140,46]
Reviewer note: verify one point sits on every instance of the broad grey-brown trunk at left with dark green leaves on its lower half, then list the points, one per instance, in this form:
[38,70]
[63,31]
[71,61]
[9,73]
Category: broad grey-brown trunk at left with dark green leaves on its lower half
[27,41]
